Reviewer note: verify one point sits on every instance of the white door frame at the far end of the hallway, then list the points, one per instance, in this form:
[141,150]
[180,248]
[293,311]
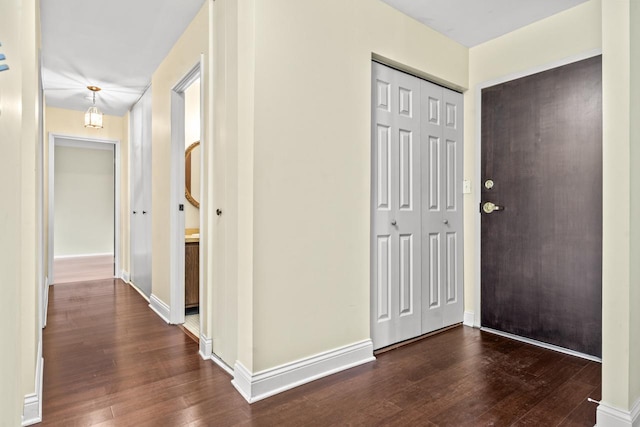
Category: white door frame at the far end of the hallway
[92,143]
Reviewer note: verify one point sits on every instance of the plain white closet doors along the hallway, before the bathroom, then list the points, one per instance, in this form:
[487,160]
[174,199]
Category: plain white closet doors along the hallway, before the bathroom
[140,172]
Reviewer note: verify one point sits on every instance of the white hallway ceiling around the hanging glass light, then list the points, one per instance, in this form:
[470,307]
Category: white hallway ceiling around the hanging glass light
[115,44]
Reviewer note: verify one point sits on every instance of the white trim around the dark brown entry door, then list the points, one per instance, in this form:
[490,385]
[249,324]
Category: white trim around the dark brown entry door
[478,160]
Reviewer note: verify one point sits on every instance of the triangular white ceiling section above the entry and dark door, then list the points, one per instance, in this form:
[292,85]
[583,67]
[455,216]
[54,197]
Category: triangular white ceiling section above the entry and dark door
[471,22]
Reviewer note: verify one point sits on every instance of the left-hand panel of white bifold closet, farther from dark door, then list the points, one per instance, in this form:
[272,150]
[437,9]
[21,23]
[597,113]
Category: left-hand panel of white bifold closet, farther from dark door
[395,302]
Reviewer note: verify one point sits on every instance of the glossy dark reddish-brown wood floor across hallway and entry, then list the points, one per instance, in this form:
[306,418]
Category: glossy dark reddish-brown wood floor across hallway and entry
[111,361]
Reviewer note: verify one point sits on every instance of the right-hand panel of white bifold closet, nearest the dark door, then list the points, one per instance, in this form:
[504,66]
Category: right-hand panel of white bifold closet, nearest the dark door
[441,135]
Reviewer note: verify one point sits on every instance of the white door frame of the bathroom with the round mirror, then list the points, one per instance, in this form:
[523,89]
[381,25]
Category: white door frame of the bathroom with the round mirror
[176,233]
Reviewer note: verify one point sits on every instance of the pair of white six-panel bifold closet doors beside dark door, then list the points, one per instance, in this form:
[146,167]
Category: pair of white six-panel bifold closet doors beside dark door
[416,253]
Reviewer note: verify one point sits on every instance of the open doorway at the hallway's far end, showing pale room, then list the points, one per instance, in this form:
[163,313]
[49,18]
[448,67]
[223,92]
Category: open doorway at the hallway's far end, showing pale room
[84,188]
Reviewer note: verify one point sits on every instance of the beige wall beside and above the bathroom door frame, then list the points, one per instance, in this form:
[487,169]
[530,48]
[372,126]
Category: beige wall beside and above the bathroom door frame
[184,55]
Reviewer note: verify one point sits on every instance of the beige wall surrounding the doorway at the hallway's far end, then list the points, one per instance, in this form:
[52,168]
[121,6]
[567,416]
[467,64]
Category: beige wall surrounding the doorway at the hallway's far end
[70,122]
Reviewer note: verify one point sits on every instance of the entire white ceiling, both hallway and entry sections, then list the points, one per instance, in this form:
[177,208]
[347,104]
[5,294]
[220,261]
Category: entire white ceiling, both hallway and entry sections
[118,44]
